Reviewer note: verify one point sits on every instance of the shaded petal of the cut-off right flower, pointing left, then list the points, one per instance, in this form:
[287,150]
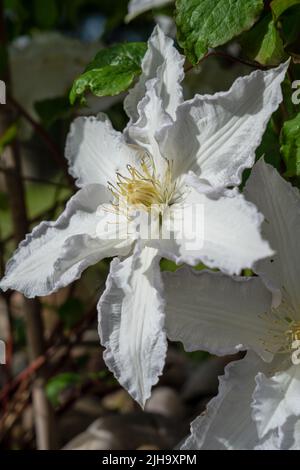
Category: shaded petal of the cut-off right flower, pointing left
[214,312]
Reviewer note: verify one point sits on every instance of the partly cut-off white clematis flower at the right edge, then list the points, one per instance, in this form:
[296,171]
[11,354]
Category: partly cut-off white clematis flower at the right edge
[258,405]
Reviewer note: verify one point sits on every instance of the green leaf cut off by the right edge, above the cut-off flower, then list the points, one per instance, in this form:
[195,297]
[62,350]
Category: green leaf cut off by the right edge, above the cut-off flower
[290,146]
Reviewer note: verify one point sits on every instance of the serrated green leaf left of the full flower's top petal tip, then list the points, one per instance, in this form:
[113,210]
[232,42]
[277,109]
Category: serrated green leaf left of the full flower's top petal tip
[111,72]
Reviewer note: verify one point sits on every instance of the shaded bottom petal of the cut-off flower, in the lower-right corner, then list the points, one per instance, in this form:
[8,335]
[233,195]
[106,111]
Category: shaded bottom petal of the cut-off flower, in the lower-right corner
[227,422]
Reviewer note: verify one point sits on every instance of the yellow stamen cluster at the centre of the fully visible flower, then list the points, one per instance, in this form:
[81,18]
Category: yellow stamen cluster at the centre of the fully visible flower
[142,188]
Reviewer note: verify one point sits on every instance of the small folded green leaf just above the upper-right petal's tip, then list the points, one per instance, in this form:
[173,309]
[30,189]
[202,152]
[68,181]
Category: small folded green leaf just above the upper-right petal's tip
[263,42]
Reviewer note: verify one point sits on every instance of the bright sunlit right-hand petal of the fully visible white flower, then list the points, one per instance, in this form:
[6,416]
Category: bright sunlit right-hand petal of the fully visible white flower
[223,233]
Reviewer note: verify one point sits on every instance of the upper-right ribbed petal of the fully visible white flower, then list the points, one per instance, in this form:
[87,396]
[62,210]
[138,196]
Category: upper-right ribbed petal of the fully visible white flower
[216,136]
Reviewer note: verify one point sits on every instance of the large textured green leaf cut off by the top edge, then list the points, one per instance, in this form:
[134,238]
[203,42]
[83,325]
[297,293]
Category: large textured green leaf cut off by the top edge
[211,23]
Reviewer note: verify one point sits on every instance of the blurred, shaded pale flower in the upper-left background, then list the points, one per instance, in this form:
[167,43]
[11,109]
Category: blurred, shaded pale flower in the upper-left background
[45,65]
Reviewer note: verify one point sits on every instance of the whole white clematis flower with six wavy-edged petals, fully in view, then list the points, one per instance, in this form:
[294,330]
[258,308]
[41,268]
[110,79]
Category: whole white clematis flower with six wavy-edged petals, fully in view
[174,157]
